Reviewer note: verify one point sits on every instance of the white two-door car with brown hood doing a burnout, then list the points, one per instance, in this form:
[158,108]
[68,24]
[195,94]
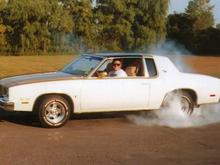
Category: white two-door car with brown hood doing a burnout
[84,86]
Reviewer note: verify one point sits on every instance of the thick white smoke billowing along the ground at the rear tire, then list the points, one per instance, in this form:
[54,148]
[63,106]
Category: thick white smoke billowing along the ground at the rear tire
[173,116]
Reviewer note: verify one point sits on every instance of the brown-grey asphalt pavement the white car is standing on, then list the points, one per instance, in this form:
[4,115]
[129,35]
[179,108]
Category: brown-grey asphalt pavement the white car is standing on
[105,139]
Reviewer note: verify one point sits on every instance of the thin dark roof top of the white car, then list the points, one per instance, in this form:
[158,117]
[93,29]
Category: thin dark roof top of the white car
[115,55]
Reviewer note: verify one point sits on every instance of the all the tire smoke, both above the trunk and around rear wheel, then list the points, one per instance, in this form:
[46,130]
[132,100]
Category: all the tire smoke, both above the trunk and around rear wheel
[173,116]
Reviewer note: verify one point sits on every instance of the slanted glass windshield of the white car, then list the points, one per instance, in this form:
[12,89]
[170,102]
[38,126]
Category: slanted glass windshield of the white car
[82,66]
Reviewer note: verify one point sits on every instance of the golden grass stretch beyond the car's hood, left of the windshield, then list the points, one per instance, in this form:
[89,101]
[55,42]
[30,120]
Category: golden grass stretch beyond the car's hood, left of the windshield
[15,65]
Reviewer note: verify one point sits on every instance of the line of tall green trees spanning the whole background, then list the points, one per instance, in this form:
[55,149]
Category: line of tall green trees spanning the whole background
[54,26]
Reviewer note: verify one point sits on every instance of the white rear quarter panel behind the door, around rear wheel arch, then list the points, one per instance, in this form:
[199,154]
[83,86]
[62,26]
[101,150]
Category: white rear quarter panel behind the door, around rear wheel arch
[170,79]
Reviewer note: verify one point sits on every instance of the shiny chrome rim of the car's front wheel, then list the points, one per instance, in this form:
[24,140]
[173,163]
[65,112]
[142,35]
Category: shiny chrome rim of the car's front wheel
[55,112]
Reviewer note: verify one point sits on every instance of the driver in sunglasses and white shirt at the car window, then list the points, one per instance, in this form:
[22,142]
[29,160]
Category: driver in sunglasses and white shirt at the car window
[117,71]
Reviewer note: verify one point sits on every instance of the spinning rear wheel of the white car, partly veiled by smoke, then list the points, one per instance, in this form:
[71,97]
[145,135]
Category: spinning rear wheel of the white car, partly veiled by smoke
[187,103]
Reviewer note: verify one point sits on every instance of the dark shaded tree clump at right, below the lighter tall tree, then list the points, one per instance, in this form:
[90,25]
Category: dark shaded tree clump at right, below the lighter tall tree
[204,42]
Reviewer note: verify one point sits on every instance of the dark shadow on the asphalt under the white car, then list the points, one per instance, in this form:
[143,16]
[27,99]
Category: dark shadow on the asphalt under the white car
[29,119]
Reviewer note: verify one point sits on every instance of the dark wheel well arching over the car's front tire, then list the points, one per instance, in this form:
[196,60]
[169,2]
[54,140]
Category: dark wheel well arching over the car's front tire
[40,98]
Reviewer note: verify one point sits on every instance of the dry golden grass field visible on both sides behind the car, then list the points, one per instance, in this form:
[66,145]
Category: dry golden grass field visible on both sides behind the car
[11,65]
